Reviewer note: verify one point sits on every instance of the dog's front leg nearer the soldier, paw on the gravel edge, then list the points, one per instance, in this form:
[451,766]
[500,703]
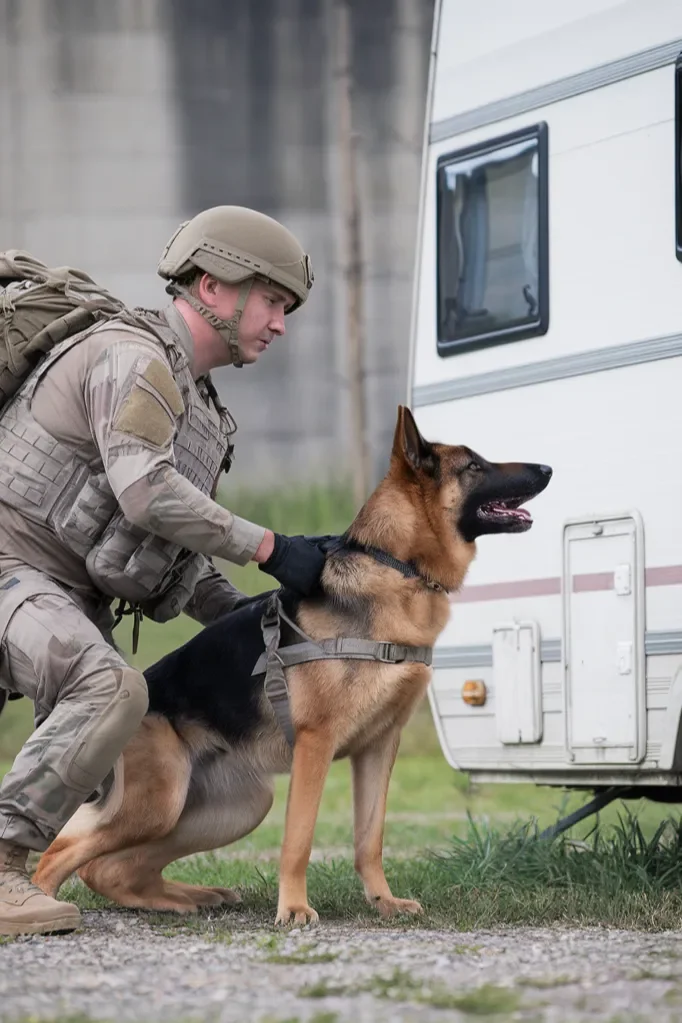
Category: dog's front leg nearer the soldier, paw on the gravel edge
[313,752]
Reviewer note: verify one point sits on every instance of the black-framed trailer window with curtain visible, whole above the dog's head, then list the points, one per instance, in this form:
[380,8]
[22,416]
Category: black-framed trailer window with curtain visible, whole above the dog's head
[493,272]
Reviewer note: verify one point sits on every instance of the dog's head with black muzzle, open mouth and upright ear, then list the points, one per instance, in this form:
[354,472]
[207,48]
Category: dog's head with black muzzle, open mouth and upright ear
[476,497]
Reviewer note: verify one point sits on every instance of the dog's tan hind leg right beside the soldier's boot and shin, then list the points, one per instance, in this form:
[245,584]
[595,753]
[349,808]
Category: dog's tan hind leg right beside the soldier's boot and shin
[148,798]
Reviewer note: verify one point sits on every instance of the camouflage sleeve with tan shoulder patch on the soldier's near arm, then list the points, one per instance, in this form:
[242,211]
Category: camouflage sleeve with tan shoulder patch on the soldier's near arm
[133,405]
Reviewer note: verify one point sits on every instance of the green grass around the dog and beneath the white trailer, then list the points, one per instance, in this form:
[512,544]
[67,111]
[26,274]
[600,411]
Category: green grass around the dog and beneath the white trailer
[468,853]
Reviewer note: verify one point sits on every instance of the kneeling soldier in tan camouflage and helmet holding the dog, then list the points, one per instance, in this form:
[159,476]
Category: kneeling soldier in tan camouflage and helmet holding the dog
[110,458]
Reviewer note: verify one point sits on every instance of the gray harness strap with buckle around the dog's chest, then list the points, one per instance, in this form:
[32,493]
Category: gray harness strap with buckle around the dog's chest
[276,659]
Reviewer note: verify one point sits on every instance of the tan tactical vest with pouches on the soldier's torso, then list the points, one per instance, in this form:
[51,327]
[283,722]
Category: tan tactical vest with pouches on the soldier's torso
[51,484]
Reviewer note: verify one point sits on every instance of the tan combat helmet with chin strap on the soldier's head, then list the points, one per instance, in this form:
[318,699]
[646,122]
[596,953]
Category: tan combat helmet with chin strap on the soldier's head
[236,245]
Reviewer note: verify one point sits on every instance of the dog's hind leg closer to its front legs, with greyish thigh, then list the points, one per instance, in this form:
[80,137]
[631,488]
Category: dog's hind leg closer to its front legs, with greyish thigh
[223,806]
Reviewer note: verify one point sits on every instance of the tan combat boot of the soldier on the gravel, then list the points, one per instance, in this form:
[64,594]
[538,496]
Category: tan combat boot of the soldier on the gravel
[25,909]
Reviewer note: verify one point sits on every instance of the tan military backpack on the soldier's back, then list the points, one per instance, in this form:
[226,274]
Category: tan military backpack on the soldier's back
[39,307]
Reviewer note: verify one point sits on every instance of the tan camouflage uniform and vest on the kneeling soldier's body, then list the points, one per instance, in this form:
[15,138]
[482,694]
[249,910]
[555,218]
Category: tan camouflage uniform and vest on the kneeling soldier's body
[100,499]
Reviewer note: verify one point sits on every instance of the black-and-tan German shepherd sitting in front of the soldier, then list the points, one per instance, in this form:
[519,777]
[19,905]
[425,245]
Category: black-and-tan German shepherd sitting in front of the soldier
[198,775]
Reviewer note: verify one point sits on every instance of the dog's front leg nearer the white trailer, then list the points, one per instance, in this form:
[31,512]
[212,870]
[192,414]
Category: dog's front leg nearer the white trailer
[372,774]
